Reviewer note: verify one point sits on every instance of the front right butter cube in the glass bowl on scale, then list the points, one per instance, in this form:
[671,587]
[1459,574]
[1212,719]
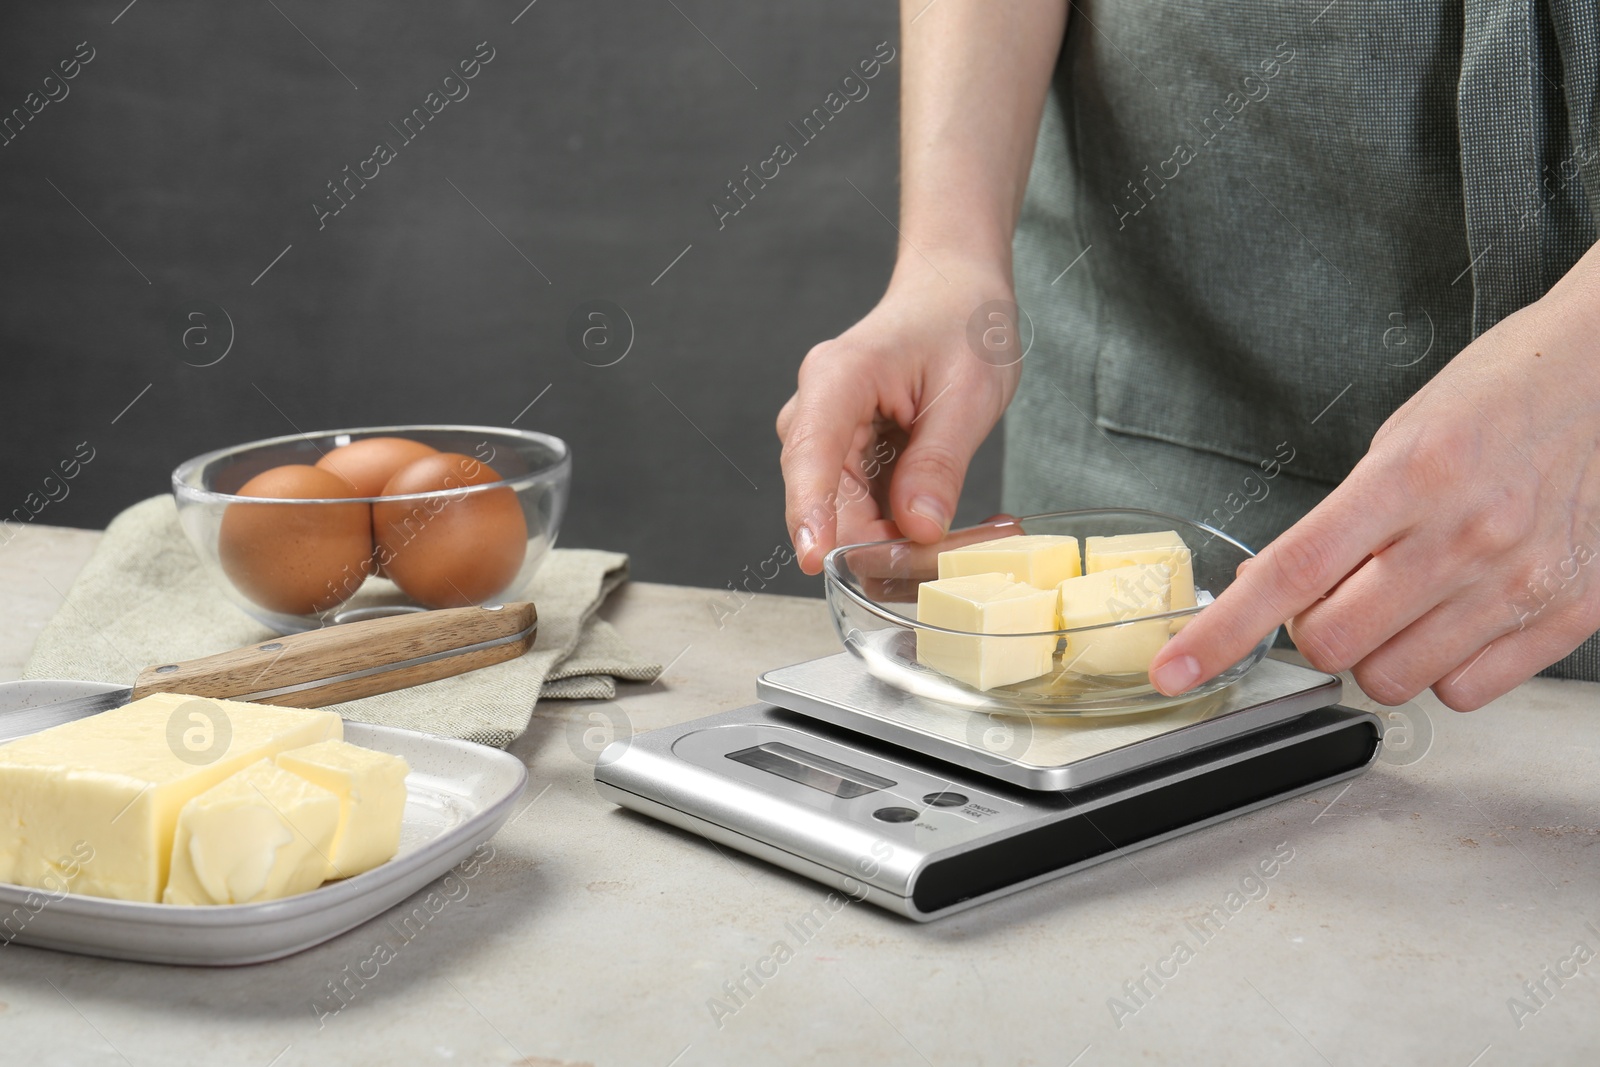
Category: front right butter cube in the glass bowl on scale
[1126,593]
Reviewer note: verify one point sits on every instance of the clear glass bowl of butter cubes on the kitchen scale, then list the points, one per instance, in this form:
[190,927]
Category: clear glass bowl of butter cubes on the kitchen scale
[991,641]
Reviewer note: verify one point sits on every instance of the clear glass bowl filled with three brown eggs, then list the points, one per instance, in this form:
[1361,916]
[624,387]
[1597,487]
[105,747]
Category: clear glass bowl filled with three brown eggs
[343,526]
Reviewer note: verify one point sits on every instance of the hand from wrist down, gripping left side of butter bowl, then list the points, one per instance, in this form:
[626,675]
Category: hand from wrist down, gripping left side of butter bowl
[887,417]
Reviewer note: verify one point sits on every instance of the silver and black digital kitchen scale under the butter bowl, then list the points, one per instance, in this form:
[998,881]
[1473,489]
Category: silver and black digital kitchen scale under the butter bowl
[929,810]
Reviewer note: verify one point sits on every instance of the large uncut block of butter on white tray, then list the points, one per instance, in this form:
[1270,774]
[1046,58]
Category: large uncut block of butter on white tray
[114,785]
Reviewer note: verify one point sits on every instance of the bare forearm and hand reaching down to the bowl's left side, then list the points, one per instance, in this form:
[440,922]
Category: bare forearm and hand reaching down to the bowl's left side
[887,418]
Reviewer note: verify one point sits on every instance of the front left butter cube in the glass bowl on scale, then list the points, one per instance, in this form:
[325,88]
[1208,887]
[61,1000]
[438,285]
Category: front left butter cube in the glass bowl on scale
[988,605]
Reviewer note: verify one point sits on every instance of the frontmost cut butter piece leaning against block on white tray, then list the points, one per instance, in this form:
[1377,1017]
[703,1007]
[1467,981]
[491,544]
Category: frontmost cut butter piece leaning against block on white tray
[258,836]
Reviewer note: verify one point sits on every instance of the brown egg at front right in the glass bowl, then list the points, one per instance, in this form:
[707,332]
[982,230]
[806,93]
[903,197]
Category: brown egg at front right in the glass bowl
[450,551]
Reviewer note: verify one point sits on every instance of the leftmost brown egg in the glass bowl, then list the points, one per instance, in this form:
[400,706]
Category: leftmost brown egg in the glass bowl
[297,559]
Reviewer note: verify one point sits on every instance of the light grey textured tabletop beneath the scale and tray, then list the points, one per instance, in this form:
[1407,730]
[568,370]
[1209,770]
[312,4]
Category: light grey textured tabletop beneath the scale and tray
[1414,908]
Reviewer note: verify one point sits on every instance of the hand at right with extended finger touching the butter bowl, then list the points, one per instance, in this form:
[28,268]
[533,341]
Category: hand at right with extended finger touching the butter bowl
[1458,554]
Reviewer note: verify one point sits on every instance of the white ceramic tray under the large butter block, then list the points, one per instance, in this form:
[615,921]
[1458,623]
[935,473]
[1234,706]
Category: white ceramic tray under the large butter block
[458,796]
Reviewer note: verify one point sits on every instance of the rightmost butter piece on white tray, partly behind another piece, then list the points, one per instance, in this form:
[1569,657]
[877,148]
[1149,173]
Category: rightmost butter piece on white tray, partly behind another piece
[370,788]
